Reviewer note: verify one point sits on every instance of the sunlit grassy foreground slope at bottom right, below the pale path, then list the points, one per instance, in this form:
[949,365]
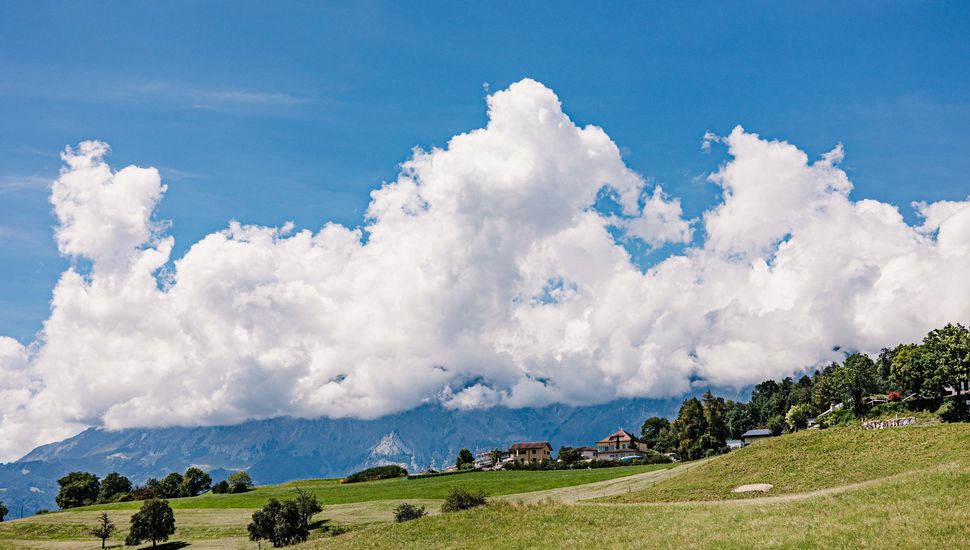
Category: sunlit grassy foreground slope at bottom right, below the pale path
[925,509]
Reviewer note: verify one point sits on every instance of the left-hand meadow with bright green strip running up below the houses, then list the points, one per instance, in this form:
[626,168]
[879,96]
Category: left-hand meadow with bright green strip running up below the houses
[220,520]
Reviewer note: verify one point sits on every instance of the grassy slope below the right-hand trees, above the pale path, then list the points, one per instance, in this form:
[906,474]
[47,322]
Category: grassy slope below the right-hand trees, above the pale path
[814,459]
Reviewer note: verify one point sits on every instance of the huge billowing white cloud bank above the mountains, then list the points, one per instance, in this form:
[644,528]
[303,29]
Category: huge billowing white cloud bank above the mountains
[484,275]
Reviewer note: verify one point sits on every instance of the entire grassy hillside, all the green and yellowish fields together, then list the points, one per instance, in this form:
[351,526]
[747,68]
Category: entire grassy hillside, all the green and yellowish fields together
[844,488]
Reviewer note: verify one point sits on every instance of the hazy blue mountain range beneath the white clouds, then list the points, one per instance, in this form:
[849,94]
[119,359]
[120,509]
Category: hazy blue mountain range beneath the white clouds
[285,449]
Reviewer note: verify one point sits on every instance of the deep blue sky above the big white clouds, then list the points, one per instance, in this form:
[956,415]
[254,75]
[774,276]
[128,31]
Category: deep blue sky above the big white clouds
[276,112]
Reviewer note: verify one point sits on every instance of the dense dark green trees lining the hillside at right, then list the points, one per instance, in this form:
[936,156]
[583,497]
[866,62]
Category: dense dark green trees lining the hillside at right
[920,374]
